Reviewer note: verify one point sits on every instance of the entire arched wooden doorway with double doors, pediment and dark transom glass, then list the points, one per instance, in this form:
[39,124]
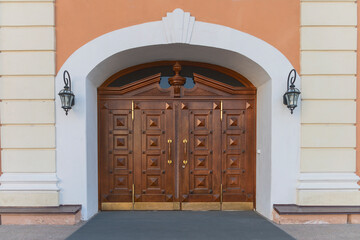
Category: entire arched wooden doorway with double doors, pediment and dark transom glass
[176,136]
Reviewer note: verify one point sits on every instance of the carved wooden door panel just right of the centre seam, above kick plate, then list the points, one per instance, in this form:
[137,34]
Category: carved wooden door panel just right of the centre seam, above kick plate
[200,178]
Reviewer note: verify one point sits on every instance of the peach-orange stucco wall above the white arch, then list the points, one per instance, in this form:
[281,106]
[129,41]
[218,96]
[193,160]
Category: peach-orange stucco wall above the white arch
[276,22]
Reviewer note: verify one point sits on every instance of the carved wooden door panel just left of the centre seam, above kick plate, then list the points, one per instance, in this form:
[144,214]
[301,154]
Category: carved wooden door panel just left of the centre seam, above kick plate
[154,176]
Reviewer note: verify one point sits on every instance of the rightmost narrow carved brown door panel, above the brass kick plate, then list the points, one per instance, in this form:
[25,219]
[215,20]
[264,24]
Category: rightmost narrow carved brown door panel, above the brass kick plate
[237,161]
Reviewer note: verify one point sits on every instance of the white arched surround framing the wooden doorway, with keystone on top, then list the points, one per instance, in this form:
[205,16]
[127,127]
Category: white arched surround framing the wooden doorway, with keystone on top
[178,37]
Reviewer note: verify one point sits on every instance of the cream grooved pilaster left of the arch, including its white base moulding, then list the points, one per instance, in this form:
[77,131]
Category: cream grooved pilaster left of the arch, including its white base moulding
[27,69]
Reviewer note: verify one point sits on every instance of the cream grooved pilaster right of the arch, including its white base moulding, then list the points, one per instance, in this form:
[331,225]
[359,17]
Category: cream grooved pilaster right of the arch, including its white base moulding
[328,71]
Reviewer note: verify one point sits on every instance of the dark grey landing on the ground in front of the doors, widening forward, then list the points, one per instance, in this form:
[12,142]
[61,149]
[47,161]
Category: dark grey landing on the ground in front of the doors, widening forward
[179,225]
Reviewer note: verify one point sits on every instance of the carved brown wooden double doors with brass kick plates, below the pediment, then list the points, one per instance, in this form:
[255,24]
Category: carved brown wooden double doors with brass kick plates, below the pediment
[177,154]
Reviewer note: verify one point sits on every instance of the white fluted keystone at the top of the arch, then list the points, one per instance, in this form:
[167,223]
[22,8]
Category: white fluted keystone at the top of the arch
[178,26]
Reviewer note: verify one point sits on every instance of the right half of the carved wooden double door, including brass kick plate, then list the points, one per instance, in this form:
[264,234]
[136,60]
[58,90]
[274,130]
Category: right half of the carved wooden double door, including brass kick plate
[218,168]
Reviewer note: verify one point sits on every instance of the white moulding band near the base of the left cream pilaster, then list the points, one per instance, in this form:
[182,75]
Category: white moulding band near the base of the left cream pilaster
[29,182]
